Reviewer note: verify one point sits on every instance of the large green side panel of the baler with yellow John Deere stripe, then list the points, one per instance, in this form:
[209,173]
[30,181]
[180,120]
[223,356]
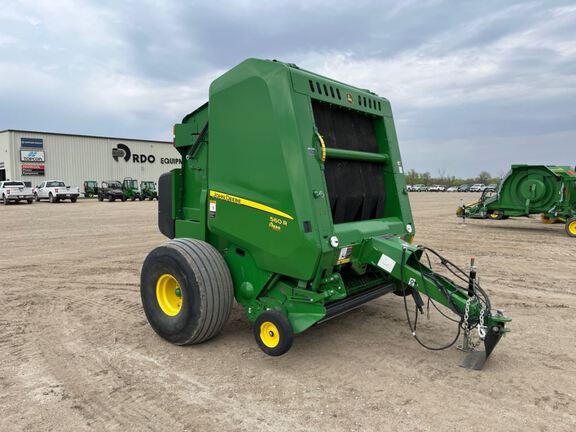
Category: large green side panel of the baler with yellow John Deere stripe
[257,172]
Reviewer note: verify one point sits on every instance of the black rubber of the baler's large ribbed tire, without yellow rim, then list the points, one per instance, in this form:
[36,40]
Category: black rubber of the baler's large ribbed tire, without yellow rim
[206,286]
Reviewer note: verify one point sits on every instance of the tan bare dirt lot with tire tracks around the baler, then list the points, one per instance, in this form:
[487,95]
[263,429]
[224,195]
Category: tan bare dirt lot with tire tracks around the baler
[77,353]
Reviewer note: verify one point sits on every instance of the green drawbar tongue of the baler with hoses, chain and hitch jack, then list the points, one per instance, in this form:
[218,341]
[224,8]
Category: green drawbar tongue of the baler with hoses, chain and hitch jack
[470,302]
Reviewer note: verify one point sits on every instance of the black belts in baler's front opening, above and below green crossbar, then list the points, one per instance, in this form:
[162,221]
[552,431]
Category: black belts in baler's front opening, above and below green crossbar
[355,188]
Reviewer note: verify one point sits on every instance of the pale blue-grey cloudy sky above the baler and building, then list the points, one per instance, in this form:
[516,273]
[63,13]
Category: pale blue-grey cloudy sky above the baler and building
[474,85]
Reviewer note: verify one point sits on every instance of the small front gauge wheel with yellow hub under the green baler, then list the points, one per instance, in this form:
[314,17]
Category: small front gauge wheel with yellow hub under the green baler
[273,332]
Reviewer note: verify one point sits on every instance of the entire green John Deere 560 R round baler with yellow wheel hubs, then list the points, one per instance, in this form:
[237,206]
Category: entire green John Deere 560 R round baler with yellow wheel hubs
[291,199]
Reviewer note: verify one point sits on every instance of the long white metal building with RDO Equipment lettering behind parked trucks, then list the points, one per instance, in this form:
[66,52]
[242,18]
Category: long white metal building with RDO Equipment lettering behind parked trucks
[32,156]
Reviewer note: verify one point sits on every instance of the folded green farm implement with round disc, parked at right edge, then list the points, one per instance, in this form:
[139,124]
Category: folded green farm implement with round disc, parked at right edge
[530,189]
